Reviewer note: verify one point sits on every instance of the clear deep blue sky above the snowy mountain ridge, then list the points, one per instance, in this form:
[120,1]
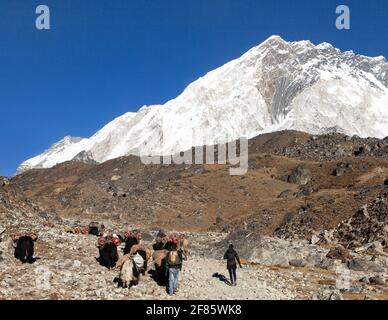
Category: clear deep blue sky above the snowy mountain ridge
[103,58]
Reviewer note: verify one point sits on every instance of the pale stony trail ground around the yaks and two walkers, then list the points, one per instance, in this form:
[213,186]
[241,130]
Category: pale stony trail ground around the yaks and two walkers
[68,270]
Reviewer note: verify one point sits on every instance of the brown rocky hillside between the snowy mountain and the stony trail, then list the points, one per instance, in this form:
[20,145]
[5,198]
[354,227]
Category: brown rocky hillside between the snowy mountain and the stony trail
[297,185]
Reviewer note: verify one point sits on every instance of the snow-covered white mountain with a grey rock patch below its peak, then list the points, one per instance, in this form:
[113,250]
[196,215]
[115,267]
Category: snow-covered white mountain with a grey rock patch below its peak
[275,86]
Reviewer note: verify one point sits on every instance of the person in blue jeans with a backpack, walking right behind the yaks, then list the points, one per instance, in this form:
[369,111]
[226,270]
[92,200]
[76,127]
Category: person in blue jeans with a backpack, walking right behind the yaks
[174,262]
